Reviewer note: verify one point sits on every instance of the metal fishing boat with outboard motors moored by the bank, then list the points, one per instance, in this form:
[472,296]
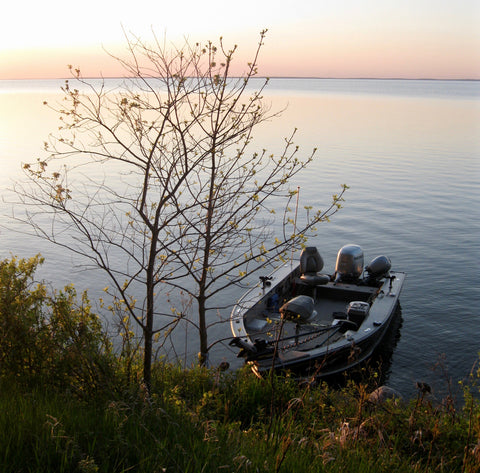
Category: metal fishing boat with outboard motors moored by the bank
[298,318]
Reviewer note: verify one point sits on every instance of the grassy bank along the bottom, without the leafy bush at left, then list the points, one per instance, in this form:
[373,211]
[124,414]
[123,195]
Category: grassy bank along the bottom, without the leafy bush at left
[200,420]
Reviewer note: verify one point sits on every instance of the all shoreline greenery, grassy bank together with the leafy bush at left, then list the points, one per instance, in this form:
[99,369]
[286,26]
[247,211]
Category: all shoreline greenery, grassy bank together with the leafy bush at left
[69,402]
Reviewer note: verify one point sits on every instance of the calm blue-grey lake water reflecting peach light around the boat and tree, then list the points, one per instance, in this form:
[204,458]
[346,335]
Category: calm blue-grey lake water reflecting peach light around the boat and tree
[410,152]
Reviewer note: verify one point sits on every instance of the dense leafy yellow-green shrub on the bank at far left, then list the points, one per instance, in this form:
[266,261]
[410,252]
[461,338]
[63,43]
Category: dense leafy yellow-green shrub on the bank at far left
[49,338]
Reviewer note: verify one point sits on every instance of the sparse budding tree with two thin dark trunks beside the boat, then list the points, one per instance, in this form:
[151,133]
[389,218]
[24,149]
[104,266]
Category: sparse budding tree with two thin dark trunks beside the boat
[154,181]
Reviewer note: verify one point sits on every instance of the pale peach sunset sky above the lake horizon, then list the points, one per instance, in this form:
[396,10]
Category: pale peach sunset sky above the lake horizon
[437,39]
